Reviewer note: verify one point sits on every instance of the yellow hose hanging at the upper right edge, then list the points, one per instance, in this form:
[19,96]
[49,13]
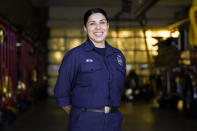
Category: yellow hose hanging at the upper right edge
[193,24]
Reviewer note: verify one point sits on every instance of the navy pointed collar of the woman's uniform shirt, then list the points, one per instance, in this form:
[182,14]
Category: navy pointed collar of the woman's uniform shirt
[89,46]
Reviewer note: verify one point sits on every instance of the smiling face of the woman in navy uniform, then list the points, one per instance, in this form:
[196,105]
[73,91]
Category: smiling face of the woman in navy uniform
[97,28]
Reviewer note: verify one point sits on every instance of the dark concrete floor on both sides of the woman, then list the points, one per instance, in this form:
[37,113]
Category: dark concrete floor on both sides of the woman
[138,116]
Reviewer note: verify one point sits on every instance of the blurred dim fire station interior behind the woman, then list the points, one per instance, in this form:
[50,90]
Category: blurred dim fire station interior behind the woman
[157,37]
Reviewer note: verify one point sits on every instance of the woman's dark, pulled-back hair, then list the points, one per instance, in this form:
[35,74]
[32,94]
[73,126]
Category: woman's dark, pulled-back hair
[92,11]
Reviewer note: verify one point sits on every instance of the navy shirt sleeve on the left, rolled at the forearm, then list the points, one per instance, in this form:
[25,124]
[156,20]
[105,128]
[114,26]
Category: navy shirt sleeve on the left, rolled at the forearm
[64,83]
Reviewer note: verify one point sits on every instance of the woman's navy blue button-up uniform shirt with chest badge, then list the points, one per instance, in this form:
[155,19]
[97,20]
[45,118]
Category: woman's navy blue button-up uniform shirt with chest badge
[90,79]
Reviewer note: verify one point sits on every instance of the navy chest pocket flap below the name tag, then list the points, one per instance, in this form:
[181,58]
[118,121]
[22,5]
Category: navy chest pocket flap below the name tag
[90,67]
